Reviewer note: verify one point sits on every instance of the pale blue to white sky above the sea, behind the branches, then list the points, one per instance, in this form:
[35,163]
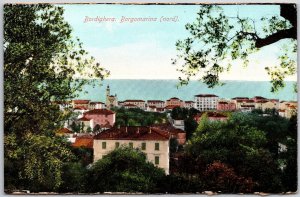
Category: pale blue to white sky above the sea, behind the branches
[144,50]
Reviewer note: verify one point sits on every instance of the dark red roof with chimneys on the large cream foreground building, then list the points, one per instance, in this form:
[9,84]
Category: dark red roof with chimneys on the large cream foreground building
[133,133]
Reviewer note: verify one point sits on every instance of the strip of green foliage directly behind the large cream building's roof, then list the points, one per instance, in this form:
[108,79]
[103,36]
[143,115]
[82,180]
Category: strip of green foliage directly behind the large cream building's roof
[138,117]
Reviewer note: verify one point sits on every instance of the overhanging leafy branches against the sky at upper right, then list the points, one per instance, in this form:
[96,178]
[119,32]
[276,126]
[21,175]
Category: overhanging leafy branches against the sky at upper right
[216,40]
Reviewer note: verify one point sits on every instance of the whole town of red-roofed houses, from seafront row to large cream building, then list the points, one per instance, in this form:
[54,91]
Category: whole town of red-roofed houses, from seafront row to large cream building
[154,140]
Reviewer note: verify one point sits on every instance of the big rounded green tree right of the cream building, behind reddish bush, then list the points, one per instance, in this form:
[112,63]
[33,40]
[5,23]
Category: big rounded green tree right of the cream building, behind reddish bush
[239,145]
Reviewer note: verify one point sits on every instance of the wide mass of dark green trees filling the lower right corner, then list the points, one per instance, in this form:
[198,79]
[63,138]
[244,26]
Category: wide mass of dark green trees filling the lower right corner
[247,143]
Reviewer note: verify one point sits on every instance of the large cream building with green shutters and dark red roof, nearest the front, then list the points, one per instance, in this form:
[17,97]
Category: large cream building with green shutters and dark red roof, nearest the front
[152,141]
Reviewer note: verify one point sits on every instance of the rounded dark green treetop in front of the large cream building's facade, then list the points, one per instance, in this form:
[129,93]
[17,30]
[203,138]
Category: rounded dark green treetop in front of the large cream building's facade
[124,170]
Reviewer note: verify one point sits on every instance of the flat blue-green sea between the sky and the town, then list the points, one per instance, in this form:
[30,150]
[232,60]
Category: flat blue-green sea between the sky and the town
[164,89]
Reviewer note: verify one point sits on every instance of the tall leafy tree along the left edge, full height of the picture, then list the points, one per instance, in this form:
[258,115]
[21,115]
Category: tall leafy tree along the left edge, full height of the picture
[43,63]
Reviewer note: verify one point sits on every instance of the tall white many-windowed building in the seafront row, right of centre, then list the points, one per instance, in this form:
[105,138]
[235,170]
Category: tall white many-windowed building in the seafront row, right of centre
[206,102]
